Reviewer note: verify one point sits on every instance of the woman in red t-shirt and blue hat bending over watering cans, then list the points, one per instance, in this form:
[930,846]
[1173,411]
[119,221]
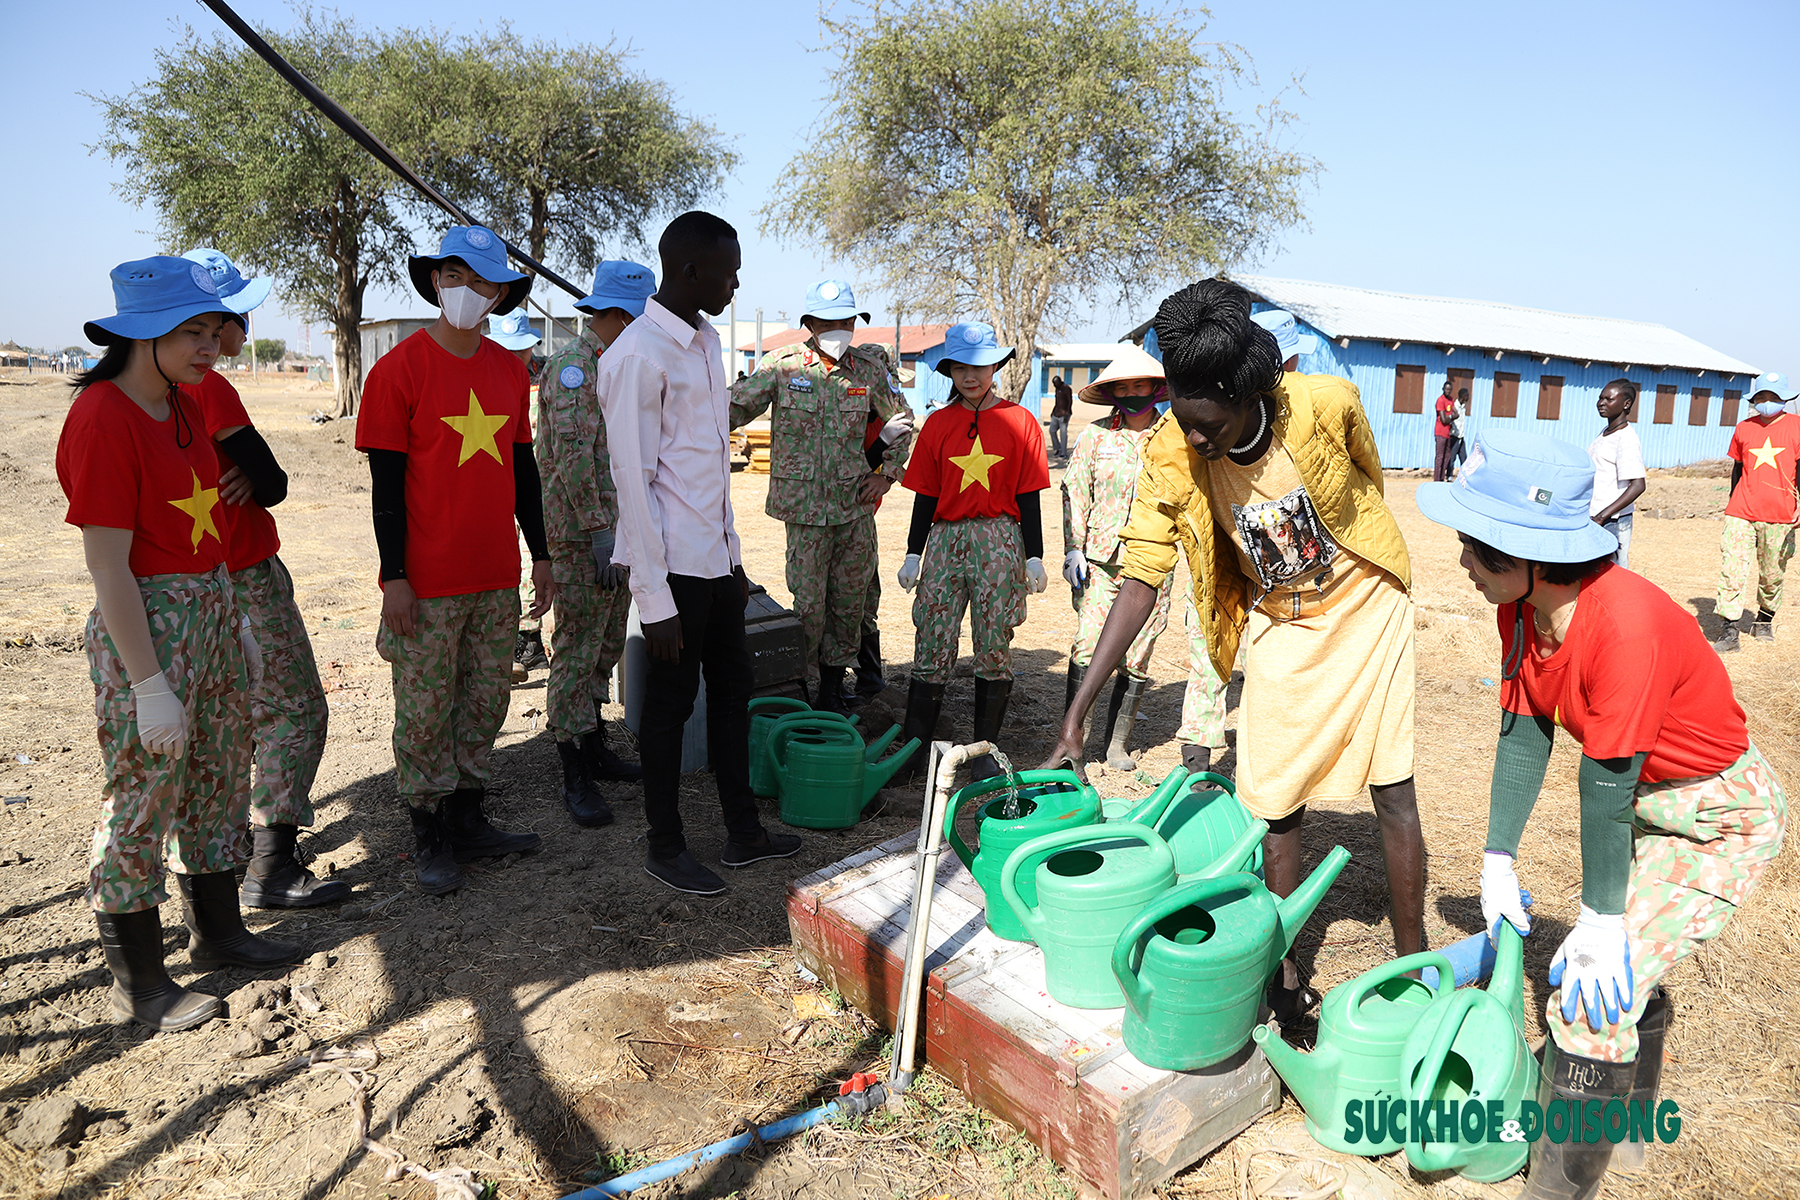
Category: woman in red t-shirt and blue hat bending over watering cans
[1680,814]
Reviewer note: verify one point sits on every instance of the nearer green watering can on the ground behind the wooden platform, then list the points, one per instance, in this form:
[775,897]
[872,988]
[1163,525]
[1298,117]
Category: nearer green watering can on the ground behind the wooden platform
[825,776]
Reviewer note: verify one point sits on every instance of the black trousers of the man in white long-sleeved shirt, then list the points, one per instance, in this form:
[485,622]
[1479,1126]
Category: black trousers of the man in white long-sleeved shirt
[712,632]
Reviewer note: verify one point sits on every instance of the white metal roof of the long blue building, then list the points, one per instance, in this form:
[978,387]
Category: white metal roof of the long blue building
[1342,312]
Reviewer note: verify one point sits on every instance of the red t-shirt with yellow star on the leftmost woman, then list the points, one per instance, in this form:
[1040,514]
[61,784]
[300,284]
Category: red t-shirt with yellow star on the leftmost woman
[121,469]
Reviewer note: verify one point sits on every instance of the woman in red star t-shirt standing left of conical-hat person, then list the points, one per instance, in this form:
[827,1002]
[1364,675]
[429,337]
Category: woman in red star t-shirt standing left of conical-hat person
[976,539]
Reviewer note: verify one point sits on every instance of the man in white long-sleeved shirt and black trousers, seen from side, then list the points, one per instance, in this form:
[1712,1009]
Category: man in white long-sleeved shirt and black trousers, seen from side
[663,395]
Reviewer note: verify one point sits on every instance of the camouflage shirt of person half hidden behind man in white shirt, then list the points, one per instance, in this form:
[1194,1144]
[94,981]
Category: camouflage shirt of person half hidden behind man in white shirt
[571,445]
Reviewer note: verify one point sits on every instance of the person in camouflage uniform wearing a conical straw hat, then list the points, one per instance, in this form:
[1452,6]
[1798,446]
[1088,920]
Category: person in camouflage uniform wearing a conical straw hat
[1097,494]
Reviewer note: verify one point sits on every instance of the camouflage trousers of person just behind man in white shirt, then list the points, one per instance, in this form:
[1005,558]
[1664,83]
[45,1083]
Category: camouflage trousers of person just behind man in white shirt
[588,641]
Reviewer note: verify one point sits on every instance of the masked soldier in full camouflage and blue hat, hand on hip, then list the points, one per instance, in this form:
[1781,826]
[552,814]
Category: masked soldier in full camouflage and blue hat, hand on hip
[822,397]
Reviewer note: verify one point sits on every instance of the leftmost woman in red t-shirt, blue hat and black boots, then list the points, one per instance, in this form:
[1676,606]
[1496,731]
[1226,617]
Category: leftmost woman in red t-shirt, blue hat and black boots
[170,658]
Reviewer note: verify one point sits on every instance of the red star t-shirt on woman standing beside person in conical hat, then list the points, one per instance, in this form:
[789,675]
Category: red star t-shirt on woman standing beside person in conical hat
[978,467]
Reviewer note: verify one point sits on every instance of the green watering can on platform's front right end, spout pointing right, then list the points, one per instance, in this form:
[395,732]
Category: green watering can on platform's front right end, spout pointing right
[1194,963]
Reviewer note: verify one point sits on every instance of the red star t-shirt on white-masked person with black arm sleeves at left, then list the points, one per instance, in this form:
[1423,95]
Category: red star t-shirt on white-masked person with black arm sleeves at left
[456,420]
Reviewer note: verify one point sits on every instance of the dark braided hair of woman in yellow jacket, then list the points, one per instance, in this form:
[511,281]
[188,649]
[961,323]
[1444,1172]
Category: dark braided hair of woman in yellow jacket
[1210,345]
